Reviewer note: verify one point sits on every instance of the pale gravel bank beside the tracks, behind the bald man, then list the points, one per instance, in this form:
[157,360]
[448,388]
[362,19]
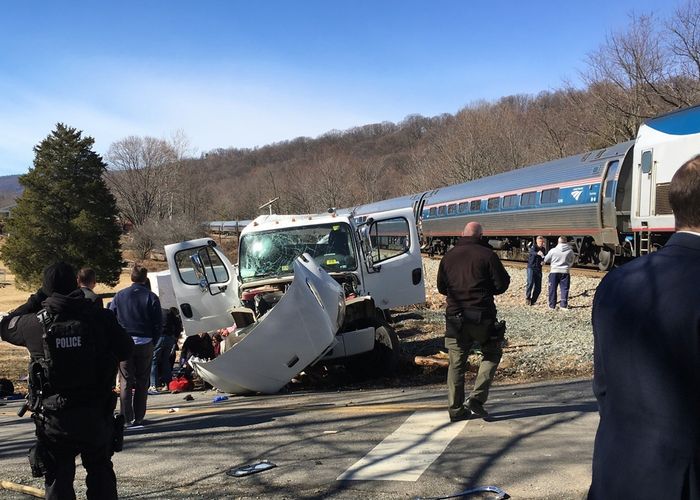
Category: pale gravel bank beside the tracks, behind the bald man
[542,343]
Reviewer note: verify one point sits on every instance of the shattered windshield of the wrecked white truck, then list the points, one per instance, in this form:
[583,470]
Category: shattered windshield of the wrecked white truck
[271,253]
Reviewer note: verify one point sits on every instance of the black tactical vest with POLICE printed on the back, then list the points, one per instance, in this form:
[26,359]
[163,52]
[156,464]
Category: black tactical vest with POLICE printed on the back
[67,376]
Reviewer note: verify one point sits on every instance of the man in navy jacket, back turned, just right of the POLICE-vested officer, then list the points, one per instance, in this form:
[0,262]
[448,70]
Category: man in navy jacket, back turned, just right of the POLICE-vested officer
[138,311]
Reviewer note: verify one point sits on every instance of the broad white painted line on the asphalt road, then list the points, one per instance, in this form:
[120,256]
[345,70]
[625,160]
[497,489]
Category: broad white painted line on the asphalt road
[408,451]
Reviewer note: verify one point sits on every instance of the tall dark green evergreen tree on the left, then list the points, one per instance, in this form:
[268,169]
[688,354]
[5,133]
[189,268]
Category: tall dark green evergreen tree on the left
[65,213]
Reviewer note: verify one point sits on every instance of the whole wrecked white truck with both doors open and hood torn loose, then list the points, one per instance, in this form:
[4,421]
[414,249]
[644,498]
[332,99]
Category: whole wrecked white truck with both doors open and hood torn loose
[306,289]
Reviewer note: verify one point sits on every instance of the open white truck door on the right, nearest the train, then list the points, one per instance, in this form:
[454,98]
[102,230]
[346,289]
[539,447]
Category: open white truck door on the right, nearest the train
[393,268]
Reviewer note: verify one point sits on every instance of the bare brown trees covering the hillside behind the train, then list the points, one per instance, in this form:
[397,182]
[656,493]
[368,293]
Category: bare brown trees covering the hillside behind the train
[163,192]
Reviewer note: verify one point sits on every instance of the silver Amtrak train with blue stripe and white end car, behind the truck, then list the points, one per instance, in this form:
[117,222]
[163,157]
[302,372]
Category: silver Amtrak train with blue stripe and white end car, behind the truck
[612,203]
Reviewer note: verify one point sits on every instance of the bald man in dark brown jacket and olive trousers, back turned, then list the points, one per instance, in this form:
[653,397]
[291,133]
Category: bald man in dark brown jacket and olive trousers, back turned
[470,274]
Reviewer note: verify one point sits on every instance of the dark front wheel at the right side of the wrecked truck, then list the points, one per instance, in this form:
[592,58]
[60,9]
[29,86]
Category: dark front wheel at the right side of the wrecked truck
[381,361]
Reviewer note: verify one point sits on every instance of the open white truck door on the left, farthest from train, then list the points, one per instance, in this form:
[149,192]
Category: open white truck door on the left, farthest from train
[204,283]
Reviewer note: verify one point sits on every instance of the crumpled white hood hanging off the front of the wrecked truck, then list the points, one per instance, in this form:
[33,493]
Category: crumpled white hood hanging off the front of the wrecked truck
[287,339]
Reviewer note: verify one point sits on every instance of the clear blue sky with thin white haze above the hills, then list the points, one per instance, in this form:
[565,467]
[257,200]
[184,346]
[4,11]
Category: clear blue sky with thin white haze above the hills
[249,73]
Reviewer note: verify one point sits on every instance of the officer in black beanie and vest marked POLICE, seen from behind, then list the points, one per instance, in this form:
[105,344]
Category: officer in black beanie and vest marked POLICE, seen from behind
[74,348]
